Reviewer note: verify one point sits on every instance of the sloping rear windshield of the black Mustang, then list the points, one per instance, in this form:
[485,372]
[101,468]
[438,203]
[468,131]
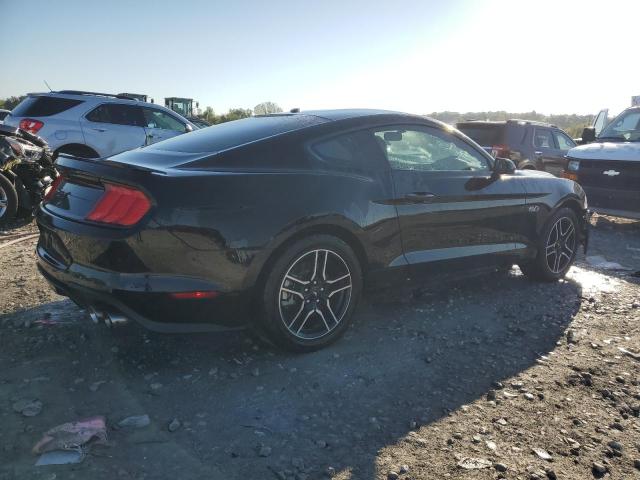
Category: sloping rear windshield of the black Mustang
[232,134]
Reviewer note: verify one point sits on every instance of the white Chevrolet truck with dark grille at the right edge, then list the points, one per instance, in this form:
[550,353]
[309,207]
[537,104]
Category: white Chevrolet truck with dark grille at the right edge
[608,168]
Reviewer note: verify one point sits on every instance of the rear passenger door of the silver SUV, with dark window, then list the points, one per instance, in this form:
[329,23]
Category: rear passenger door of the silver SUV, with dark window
[112,128]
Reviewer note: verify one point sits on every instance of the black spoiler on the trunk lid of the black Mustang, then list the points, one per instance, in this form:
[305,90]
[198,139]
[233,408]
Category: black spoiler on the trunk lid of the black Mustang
[99,168]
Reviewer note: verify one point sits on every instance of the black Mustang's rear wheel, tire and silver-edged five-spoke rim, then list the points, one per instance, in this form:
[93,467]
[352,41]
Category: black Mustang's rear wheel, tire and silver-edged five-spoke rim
[310,293]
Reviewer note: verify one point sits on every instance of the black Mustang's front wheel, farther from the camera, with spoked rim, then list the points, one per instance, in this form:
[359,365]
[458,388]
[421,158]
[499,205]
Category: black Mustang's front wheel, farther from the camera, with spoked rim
[557,247]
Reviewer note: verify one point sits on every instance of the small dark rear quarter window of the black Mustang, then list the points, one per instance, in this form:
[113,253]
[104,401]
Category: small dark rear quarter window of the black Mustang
[354,151]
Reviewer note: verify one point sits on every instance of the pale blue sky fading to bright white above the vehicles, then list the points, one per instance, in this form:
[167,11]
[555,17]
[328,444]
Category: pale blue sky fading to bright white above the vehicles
[421,56]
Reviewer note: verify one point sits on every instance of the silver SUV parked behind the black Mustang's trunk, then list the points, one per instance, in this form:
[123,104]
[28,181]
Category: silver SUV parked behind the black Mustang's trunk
[95,125]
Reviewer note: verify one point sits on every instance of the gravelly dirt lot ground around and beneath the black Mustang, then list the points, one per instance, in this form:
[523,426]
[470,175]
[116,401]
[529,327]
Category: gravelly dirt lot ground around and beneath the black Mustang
[481,374]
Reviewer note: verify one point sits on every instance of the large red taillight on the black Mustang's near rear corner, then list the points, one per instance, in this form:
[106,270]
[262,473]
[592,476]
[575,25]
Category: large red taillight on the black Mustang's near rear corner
[120,205]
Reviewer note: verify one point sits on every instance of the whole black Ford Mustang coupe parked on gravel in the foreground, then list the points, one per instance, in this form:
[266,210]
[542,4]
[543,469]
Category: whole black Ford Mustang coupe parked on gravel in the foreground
[284,219]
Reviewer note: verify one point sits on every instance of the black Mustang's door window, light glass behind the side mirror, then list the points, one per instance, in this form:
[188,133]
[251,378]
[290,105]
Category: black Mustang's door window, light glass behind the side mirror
[410,148]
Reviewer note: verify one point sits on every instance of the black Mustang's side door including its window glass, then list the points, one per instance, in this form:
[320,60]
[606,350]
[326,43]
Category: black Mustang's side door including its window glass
[451,207]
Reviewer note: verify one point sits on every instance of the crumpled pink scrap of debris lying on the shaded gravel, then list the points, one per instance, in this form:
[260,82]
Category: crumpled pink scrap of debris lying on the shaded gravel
[73,435]
